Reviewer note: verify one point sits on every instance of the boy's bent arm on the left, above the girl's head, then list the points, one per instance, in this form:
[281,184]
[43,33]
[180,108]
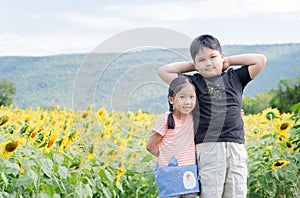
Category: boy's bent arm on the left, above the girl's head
[169,72]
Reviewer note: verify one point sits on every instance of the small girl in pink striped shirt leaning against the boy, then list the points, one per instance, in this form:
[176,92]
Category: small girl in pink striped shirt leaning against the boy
[172,141]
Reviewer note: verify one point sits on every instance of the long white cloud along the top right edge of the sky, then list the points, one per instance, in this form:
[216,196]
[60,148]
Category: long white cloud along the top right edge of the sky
[181,11]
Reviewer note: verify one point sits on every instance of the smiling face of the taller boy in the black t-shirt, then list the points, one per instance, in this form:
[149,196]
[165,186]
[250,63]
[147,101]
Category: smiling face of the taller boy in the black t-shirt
[209,62]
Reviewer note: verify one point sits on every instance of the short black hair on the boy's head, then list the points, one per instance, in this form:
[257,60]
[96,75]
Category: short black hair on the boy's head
[202,41]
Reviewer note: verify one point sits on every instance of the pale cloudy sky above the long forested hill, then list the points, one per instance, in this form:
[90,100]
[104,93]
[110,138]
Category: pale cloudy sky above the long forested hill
[49,27]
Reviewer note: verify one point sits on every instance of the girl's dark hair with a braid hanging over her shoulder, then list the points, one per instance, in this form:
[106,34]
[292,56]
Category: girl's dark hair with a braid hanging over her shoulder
[175,86]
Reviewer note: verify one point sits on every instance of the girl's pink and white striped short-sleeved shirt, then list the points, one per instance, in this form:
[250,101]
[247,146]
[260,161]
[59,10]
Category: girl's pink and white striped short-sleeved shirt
[178,142]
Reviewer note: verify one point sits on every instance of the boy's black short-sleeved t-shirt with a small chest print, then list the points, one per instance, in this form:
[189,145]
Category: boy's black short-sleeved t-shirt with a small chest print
[217,117]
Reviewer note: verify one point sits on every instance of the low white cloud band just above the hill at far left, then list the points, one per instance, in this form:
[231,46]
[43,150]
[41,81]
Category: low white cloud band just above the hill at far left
[15,44]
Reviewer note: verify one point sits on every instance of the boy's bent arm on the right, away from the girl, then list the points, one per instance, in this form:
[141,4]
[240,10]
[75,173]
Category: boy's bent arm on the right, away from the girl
[256,62]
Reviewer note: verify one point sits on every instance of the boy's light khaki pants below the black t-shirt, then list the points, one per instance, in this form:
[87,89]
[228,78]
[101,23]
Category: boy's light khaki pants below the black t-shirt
[222,169]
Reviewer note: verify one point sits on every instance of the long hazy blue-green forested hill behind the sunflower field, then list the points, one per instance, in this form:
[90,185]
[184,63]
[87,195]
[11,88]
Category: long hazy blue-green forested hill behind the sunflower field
[124,81]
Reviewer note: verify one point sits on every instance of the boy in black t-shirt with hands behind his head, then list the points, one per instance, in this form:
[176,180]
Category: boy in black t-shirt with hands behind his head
[219,132]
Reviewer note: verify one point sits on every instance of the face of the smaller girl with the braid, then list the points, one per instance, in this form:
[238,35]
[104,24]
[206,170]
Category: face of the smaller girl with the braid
[184,101]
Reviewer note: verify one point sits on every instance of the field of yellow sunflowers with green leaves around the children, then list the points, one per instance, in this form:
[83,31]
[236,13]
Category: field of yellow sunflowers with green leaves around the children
[94,153]
